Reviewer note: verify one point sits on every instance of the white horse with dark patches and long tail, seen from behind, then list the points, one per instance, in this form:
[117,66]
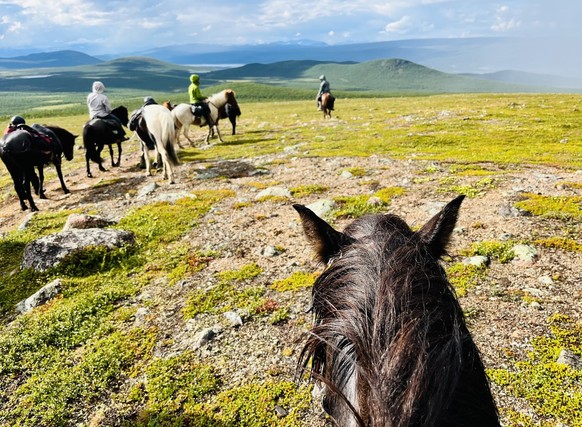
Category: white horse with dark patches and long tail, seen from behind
[156,131]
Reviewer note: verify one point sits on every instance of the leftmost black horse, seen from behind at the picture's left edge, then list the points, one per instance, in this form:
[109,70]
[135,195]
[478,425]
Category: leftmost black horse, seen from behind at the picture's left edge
[21,153]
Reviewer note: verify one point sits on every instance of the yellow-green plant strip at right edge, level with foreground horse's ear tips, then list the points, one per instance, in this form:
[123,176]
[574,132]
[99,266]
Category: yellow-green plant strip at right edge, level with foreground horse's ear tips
[569,207]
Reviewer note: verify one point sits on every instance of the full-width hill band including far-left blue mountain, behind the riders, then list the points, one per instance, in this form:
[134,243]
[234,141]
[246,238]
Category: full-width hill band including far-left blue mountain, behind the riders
[69,71]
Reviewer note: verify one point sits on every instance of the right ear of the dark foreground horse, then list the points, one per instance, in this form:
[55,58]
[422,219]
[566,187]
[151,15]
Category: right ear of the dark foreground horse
[436,233]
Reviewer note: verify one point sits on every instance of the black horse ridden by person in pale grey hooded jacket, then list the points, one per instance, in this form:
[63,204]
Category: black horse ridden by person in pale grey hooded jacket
[97,133]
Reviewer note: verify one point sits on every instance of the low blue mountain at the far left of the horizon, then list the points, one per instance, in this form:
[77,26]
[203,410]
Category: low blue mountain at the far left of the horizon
[62,58]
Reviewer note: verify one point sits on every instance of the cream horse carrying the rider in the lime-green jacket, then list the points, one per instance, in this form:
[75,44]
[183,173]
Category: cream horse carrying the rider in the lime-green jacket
[184,117]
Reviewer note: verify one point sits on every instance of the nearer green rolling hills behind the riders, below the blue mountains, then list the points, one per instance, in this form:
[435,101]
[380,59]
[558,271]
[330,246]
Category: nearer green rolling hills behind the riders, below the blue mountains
[391,76]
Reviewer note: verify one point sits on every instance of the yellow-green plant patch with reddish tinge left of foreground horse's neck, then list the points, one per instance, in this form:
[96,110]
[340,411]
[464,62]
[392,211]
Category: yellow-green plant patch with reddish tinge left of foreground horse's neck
[232,291]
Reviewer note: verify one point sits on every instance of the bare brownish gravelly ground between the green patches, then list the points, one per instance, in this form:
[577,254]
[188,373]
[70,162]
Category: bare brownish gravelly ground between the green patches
[243,230]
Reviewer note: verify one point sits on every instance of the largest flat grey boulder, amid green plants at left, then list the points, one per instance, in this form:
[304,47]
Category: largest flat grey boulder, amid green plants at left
[49,251]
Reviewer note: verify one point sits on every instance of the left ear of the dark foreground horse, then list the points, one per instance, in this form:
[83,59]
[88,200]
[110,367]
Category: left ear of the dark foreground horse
[326,241]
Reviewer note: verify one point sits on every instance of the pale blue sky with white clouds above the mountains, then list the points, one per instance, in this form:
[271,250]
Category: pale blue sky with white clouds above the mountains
[99,27]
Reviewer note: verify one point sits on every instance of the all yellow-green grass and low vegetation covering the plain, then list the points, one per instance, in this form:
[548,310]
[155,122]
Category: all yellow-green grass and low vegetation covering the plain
[60,361]
